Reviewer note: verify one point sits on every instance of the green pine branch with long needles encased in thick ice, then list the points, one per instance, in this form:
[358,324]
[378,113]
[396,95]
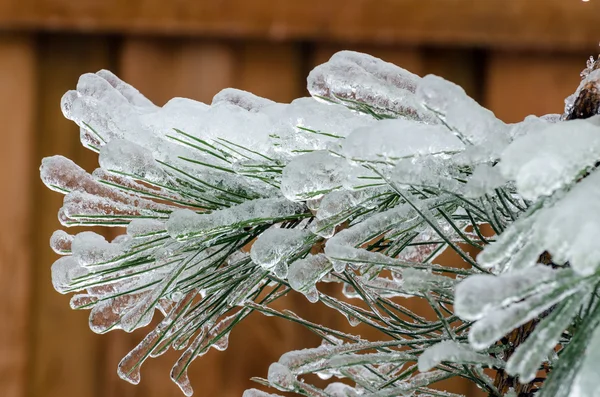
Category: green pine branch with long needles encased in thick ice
[363,185]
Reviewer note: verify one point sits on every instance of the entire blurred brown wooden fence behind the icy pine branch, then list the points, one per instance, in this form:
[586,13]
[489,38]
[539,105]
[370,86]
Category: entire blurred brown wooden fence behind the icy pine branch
[517,57]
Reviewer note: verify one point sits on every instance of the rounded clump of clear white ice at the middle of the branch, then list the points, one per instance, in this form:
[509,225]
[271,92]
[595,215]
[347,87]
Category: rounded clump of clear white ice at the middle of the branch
[311,175]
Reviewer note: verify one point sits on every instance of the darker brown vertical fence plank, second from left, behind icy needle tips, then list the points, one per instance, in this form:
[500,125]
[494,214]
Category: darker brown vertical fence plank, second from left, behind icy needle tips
[64,351]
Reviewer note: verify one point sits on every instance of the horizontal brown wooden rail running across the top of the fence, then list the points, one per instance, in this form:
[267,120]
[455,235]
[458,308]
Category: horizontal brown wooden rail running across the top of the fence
[515,23]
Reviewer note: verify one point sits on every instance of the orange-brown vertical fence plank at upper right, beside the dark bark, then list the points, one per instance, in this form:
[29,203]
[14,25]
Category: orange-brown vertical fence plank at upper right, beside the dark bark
[521,84]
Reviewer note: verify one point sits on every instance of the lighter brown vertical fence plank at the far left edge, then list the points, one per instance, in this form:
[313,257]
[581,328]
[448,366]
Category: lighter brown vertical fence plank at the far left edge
[17,103]
